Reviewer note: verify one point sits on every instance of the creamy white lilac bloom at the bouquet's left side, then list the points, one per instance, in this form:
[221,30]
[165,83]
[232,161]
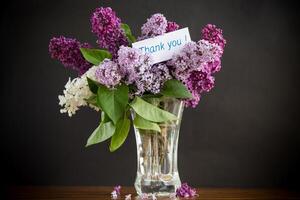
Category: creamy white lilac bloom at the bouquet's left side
[76,92]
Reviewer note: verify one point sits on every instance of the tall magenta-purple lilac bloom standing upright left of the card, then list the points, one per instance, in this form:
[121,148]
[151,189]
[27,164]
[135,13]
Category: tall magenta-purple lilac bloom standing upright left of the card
[107,26]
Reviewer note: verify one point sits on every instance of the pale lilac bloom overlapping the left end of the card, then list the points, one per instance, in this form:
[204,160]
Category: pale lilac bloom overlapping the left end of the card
[133,63]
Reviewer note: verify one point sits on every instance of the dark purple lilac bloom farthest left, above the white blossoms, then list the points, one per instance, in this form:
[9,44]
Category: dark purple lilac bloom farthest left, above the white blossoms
[67,51]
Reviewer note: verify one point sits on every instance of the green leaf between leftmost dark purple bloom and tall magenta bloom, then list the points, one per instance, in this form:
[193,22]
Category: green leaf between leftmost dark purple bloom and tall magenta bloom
[95,56]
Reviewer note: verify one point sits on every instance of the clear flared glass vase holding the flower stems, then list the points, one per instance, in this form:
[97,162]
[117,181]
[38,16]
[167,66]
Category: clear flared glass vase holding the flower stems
[157,171]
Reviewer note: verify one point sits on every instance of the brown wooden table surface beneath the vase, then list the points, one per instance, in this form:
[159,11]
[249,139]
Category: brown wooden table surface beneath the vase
[93,193]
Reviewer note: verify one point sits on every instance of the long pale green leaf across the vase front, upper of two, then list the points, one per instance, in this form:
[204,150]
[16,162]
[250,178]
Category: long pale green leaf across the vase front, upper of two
[151,112]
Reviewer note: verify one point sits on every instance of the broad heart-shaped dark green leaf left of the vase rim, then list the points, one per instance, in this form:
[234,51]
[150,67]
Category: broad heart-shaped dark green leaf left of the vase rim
[113,101]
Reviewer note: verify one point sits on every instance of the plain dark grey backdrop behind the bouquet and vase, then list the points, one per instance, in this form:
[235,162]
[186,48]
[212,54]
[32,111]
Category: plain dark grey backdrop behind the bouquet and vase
[245,132]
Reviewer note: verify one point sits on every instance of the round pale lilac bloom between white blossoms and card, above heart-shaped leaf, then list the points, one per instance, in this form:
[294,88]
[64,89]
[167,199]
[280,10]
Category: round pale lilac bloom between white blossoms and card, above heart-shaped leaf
[108,73]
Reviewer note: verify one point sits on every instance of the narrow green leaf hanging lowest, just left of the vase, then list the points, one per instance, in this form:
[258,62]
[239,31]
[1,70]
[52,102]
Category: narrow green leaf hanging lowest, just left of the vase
[121,133]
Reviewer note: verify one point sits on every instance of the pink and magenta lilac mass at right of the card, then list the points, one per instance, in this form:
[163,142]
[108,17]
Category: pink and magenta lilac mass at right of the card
[197,62]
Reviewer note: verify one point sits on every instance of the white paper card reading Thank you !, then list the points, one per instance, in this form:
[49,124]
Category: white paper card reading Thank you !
[164,46]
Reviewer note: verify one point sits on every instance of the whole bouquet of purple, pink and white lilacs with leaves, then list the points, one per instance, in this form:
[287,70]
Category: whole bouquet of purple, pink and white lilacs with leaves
[115,78]
